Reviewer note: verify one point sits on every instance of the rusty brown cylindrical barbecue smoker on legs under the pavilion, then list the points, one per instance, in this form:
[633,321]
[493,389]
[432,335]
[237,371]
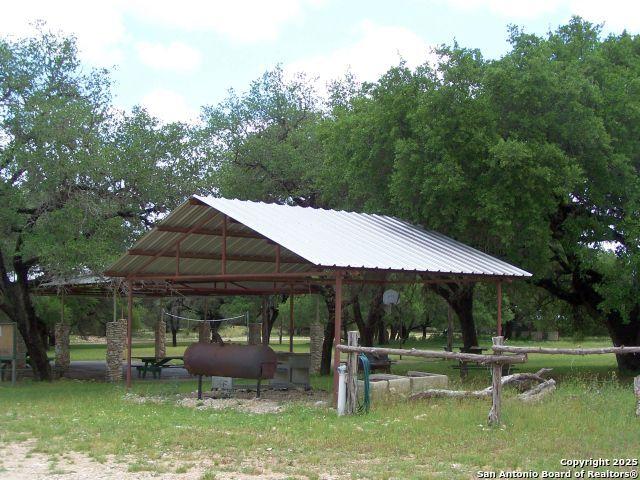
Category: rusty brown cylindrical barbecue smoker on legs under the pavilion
[256,362]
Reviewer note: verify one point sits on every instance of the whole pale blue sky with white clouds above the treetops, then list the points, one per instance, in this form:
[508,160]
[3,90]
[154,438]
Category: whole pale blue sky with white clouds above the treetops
[173,57]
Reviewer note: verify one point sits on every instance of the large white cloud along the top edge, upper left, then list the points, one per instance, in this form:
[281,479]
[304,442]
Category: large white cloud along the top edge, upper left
[100,25]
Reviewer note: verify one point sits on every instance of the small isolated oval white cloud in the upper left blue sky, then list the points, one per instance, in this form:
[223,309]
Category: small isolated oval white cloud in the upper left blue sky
[174,56]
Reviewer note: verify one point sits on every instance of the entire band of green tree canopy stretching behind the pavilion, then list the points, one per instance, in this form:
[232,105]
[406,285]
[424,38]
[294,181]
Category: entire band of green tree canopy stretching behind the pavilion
[532,157]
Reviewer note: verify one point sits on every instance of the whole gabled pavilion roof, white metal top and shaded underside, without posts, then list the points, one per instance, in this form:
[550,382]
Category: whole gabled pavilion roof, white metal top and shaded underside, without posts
[309,238]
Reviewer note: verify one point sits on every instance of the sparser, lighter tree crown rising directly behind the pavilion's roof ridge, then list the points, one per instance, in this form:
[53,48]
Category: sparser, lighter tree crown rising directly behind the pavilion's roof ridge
[263,143]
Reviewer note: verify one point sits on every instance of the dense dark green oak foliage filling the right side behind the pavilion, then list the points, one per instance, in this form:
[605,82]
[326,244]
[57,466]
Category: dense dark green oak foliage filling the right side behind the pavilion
[532,157]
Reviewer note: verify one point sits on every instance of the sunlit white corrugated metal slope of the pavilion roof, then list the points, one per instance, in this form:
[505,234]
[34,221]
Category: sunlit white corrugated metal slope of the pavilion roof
[330,238]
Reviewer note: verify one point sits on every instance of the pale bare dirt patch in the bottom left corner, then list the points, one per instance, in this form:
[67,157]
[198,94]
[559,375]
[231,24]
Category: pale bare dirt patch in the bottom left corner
[20,462]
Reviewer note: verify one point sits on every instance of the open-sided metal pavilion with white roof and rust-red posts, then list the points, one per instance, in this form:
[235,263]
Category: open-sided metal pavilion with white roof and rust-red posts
[218,246]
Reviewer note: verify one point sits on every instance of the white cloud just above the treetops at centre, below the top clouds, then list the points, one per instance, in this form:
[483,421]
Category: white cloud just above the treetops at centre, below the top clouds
[376,49]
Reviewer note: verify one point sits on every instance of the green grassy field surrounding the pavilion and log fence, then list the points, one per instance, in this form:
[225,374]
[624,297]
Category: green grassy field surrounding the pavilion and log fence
[590,415]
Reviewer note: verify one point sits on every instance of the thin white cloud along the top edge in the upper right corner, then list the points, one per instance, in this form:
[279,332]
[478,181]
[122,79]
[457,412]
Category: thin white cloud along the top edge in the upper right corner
[616,14]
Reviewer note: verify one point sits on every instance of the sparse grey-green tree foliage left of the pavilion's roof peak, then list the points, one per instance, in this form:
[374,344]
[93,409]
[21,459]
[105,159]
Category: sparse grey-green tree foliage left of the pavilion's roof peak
[78,179]
